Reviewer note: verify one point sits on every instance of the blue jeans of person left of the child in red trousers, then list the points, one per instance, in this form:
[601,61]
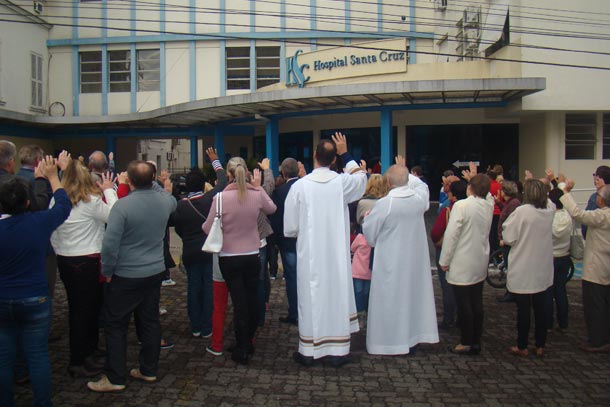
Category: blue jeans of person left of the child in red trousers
[200,296]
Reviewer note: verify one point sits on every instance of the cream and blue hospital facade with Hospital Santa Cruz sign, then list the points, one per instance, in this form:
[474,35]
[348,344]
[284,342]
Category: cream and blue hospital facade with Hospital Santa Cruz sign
[513,82]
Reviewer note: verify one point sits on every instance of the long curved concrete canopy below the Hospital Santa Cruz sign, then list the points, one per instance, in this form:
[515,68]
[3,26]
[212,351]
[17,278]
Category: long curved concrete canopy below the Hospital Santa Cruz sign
[245,107]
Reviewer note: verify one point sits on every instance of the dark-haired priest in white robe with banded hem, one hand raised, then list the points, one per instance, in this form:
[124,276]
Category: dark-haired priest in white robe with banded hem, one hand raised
[316,214]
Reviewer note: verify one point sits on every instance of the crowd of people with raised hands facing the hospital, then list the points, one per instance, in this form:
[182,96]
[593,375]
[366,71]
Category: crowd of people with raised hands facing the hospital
[107,234]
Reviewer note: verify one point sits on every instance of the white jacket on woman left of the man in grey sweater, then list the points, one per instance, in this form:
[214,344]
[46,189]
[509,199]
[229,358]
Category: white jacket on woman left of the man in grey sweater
[82,233]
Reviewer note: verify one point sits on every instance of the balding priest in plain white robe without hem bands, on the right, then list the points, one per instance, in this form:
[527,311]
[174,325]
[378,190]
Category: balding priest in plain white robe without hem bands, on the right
[402,313]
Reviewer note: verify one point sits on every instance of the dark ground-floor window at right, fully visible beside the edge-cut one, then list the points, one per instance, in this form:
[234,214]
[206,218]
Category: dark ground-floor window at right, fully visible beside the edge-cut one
[581,136]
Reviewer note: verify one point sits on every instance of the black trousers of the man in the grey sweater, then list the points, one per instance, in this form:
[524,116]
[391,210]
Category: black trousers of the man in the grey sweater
[125,296]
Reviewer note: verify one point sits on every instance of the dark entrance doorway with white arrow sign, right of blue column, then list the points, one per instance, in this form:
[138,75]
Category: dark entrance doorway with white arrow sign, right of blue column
[435,148]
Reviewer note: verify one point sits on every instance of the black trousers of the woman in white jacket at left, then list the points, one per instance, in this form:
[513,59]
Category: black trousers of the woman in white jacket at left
[80,275]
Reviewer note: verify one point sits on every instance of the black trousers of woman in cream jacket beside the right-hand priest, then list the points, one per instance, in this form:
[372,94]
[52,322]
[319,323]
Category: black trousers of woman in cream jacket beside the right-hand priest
[469,301]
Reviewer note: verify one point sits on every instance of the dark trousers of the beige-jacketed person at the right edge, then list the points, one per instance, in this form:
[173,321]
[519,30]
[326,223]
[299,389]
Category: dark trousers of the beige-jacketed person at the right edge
[596,305]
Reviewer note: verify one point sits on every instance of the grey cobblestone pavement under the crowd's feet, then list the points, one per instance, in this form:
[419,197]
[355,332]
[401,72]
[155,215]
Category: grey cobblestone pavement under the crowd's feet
[189,376]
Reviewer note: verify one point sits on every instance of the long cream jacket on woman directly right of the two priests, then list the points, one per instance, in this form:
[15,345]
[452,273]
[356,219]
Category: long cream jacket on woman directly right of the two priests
[466,240]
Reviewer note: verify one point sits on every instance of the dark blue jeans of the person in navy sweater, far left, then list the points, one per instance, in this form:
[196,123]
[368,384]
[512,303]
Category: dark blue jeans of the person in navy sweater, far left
[29,320]
